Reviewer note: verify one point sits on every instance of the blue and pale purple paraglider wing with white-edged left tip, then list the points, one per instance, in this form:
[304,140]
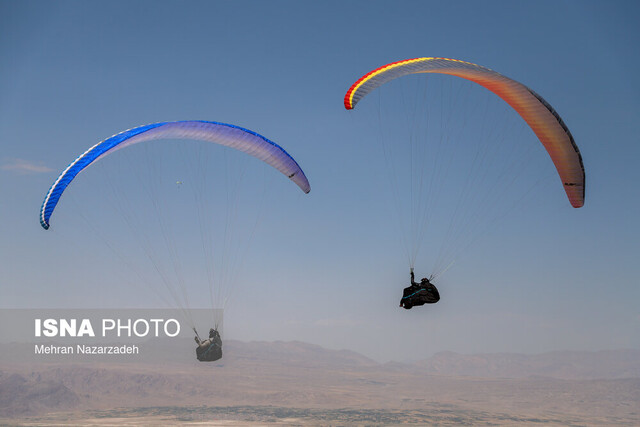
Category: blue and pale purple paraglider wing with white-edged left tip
[220,133]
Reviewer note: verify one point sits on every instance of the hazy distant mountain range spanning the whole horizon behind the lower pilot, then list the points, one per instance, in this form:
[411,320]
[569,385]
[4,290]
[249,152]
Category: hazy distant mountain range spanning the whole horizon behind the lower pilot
[577,365]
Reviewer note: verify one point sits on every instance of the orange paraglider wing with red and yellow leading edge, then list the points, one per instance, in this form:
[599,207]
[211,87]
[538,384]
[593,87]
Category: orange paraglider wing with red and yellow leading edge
[539,115]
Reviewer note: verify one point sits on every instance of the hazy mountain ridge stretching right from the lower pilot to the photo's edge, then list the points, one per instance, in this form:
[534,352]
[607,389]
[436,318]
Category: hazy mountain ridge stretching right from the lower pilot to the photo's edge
[574,365]
